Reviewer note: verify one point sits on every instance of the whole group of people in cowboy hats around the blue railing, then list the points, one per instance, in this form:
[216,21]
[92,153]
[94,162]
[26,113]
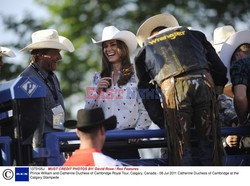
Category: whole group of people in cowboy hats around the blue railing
[197,85]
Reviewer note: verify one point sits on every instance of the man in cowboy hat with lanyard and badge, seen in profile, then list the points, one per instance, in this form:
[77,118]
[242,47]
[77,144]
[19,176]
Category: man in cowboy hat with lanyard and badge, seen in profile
[45,57]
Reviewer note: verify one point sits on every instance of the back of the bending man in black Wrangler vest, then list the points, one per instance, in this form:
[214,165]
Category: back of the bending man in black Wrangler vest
[182,50]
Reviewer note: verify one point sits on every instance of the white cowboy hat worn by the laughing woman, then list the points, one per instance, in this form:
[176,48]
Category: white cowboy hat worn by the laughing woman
[111,32]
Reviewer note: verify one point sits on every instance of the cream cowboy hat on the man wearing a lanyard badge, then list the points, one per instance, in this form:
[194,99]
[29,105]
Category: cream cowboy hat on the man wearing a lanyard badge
[49,38]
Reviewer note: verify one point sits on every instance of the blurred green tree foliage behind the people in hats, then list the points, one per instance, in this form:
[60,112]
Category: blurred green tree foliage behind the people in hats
[81,20]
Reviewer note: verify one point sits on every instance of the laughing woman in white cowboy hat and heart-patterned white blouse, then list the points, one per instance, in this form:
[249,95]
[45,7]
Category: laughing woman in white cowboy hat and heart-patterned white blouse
[118,77]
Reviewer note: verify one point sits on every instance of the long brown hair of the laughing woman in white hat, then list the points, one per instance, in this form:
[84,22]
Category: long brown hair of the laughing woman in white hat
[126,66]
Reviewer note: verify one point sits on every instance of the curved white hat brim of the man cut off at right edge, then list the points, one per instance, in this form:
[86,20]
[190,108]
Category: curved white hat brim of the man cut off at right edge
[231,45]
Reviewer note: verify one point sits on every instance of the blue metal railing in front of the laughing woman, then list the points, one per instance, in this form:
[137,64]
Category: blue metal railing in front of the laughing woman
[54,142]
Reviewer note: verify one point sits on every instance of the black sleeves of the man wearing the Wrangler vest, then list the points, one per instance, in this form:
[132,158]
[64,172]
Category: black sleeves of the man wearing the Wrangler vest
[153,106]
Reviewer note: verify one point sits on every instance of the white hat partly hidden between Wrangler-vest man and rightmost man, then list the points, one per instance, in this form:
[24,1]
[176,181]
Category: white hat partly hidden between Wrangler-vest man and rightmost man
[221,35]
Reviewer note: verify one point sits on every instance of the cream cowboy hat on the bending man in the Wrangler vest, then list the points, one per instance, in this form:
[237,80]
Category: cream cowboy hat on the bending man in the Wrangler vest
[144,31]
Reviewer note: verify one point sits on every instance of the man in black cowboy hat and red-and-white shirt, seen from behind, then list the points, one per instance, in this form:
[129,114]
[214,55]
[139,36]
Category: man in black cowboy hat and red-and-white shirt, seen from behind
[91,128]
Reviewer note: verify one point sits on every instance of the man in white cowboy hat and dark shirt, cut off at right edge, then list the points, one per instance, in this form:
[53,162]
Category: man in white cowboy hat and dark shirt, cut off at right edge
[235,54]
